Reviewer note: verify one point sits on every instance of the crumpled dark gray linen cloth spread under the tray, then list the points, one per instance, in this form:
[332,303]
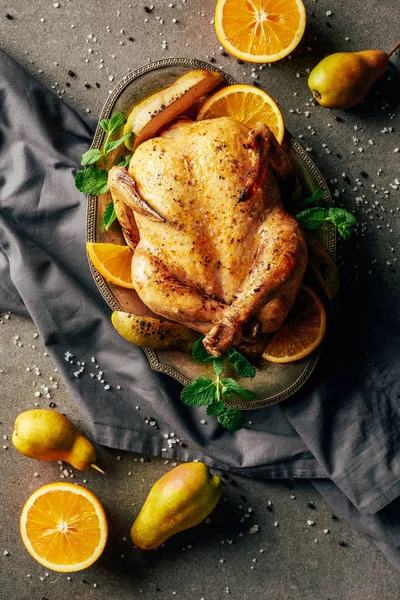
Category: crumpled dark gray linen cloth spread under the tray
[342,427]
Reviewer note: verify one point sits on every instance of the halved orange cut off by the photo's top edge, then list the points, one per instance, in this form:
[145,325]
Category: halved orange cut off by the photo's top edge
[260,31]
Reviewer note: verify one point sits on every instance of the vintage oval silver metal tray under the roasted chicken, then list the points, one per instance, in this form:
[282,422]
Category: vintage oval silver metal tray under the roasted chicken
[273,382]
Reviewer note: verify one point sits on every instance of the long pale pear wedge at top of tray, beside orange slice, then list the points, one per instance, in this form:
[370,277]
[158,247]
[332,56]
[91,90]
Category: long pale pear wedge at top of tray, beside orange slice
[156,111]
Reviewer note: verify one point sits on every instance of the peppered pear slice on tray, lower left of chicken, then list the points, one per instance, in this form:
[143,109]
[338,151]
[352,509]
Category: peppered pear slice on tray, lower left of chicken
[153,333]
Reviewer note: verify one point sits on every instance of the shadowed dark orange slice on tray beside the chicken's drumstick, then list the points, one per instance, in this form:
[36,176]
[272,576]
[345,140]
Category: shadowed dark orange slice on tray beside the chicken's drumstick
[302,331]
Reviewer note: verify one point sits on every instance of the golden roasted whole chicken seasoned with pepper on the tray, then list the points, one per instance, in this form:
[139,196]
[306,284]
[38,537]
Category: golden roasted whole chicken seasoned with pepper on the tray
[214,249]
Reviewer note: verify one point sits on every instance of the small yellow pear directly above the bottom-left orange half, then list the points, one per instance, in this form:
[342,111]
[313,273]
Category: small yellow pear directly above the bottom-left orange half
[48,435]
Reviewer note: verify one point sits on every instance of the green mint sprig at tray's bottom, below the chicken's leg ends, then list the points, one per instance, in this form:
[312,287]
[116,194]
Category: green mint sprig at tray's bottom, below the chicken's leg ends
[211,393]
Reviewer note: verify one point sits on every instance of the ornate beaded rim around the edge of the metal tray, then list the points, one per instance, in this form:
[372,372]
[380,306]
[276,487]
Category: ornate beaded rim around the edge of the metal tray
[101,283]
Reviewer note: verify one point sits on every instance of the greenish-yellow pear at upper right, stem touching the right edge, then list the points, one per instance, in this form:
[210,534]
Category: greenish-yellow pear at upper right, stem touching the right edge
[343,79]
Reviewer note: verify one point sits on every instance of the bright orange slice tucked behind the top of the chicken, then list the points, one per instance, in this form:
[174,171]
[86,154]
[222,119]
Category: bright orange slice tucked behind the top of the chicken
[246,104]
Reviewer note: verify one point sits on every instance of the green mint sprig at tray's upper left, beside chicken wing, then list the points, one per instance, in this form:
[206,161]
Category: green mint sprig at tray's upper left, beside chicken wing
[93,181]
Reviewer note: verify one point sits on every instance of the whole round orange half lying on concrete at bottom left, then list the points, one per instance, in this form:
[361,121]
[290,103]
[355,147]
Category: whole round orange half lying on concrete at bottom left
[64,527]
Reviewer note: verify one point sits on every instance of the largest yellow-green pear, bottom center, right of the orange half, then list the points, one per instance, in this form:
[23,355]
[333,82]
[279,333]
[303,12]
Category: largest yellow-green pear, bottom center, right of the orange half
[179,500]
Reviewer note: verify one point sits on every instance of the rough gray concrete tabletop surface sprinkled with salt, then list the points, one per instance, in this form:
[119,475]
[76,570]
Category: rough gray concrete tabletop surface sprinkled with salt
[298,561]
